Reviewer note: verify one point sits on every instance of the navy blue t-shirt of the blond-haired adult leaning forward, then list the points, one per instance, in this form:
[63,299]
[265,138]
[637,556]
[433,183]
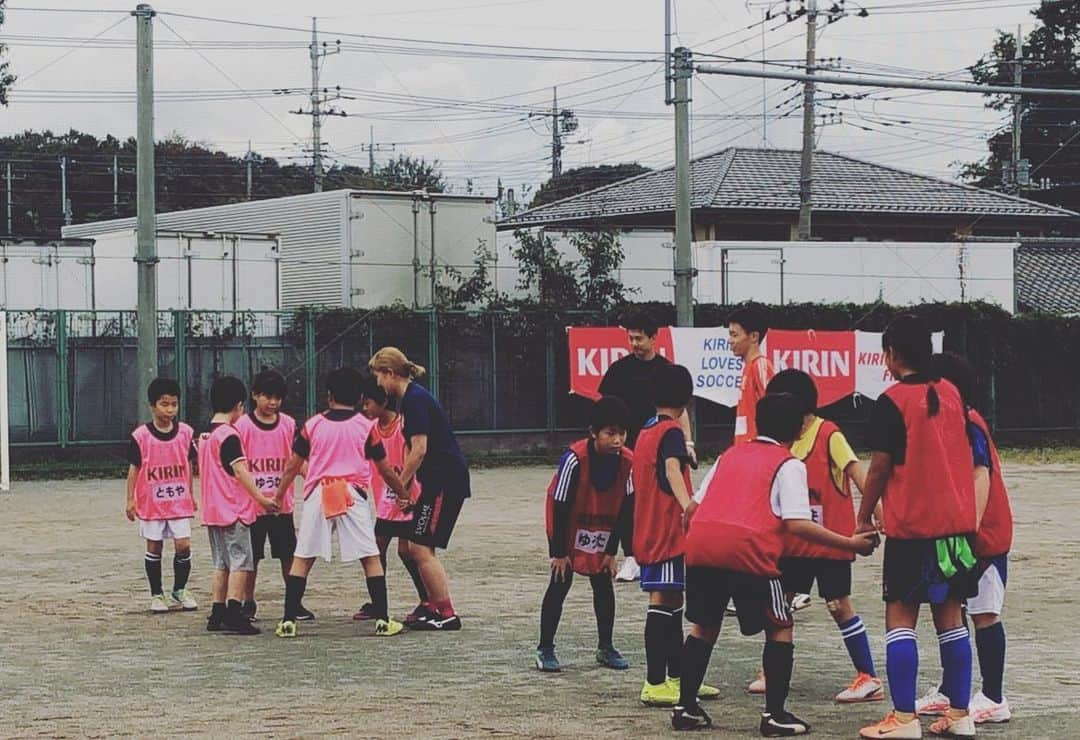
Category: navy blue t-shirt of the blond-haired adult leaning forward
[444,466]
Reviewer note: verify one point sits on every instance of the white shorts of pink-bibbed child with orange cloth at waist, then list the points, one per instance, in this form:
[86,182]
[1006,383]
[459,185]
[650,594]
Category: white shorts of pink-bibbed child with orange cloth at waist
[356,530]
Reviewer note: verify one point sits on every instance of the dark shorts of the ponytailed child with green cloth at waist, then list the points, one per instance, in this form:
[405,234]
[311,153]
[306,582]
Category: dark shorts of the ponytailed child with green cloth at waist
[911,574]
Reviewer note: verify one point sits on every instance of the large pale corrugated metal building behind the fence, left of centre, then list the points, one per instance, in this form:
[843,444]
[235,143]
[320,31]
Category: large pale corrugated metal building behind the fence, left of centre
[358,249]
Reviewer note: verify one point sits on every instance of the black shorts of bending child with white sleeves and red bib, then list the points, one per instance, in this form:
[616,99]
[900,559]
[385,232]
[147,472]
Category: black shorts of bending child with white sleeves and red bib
[760,600]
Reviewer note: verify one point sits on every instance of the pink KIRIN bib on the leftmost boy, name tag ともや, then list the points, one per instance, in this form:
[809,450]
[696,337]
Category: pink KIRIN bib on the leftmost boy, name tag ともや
[164,487]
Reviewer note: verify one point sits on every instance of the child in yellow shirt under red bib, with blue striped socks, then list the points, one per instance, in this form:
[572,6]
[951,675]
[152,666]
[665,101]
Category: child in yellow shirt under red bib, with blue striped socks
[832,470]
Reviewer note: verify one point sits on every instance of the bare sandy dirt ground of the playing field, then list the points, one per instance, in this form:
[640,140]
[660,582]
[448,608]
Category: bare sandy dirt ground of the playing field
[83,657]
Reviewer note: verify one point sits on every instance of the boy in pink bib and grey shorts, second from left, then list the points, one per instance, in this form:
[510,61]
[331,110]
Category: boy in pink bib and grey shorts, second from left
[232,503]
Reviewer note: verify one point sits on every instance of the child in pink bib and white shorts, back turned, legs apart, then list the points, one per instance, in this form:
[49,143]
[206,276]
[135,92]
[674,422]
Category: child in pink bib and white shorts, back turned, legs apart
[336,500]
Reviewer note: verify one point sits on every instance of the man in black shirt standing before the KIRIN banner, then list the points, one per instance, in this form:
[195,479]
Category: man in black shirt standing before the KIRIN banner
[630,379]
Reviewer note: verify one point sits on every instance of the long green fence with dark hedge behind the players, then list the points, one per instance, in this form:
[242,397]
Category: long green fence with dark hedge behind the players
[73,381]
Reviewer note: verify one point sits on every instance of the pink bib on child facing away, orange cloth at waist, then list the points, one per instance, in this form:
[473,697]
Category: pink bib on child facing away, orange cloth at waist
[337,451]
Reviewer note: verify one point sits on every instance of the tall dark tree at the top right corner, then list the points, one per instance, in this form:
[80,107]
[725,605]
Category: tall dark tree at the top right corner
[1051,126]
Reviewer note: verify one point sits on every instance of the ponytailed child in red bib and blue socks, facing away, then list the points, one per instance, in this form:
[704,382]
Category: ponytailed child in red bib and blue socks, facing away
[923,472]
